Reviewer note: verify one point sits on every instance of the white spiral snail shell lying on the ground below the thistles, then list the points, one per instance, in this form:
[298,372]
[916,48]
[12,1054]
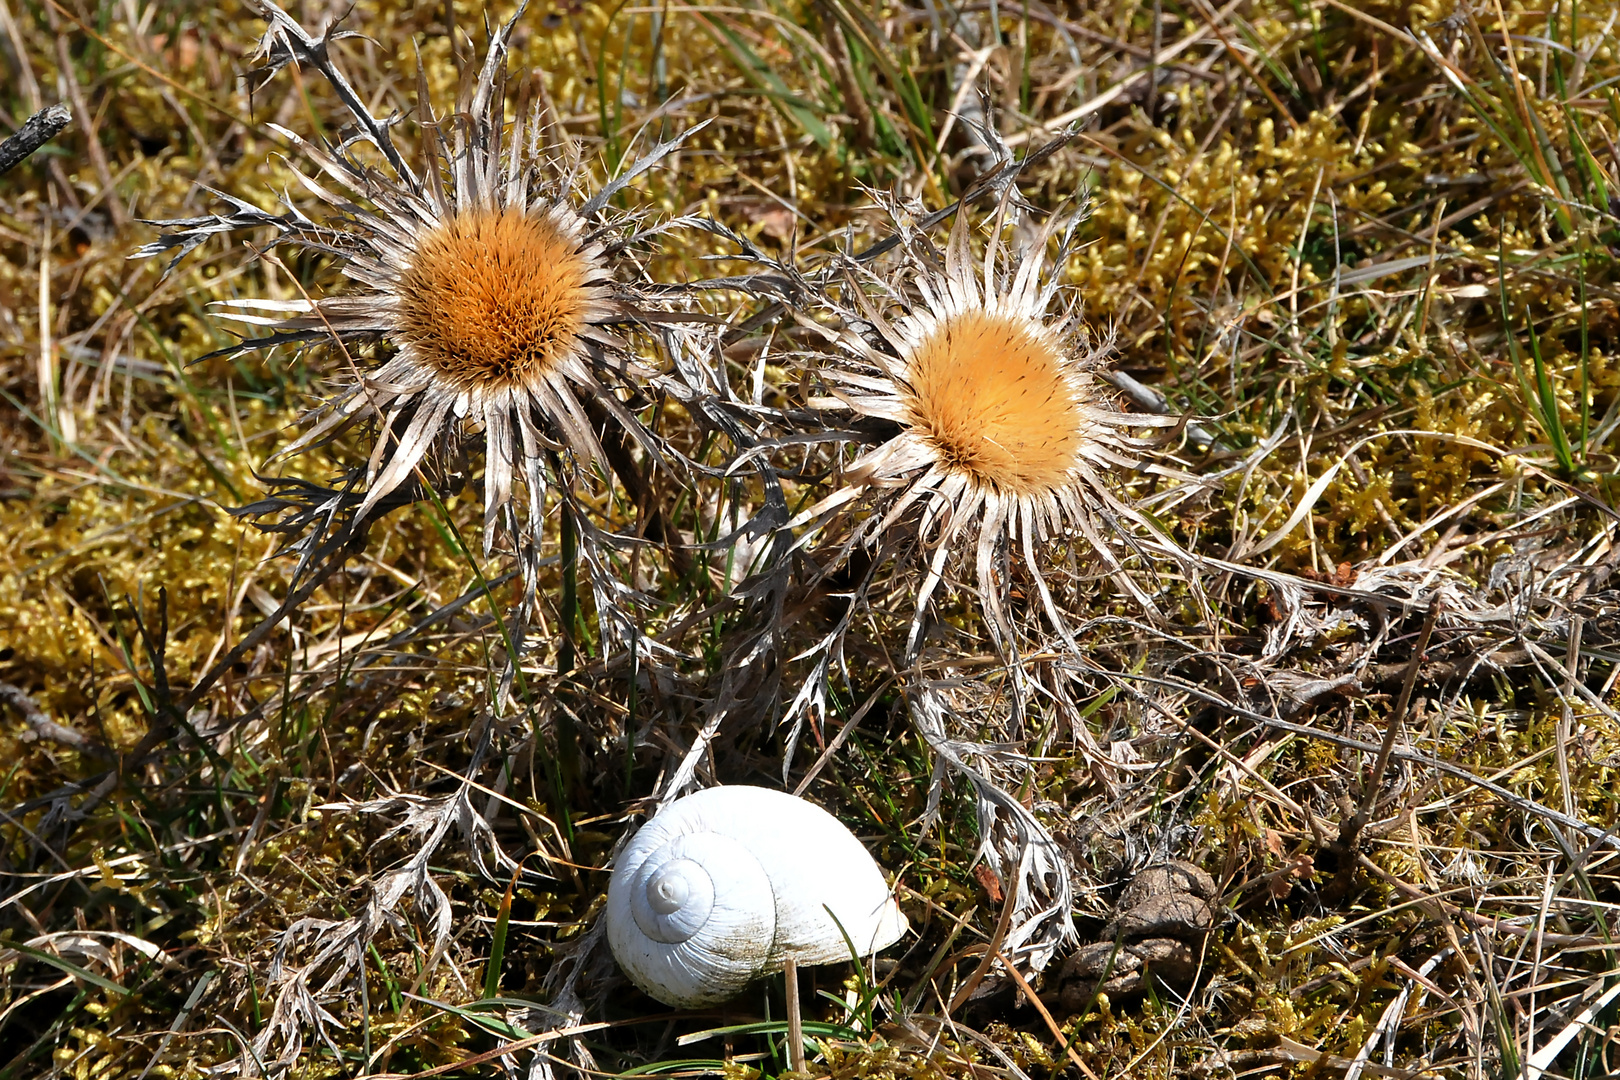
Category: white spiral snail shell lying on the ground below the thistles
[722,887]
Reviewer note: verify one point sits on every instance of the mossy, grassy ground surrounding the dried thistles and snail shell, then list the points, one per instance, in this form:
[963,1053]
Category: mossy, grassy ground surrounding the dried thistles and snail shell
[1370,250]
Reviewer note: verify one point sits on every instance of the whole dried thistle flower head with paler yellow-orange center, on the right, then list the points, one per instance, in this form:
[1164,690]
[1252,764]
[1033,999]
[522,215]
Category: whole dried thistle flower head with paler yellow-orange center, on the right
[1002,430]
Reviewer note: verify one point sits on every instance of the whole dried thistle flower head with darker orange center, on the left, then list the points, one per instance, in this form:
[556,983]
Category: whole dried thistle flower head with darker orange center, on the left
[498,289]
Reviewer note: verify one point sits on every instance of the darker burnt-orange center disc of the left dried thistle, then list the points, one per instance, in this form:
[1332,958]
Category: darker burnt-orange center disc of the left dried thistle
[495,299]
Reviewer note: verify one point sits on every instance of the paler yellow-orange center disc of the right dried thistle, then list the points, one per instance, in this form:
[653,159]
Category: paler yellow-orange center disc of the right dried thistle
[992,401]
